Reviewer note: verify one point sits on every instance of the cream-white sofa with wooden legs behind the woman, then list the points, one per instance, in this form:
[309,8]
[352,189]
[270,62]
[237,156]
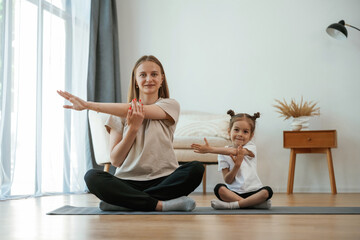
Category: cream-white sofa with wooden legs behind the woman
[192,127]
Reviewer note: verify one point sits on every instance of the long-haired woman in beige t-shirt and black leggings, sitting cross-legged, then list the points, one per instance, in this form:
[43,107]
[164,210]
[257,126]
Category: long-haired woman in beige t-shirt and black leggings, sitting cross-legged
[148,176]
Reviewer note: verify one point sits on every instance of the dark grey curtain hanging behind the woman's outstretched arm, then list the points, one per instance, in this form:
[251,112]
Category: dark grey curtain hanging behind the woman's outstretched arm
[104,68]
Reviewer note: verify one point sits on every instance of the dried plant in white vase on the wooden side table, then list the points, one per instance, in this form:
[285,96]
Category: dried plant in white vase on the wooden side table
[300,112]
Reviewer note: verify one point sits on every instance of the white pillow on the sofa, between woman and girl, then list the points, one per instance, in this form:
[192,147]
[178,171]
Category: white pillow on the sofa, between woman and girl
[199,124]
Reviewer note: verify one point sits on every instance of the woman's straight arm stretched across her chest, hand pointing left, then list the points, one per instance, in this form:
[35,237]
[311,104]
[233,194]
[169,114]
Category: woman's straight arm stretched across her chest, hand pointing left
[117,109]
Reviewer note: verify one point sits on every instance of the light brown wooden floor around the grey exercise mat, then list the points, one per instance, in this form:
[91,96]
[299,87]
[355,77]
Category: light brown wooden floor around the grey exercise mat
[27,219]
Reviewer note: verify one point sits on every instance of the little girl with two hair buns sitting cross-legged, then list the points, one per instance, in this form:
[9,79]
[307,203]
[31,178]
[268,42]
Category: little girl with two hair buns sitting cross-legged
[243,188]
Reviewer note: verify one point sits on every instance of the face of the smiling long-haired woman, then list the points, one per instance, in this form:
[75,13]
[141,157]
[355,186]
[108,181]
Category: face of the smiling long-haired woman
[149,78]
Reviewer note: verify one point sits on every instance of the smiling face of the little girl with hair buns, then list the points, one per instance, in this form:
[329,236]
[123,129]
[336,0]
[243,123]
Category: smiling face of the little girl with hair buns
[240,133]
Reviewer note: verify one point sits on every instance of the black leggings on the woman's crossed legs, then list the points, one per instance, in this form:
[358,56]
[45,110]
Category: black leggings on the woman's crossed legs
[144,195]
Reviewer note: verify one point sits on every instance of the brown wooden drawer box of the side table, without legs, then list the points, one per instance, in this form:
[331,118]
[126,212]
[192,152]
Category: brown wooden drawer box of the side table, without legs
[310,139]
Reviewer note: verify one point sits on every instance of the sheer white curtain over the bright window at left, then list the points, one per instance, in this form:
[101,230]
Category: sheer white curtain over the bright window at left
[44,47]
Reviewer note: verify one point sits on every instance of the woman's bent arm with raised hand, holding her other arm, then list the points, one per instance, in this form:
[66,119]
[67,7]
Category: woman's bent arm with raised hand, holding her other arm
[119,146]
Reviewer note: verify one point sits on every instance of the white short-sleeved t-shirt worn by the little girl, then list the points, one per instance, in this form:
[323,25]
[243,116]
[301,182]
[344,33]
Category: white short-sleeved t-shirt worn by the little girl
[246,179]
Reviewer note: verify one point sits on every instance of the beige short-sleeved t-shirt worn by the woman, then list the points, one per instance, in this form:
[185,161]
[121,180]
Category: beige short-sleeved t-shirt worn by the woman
[152,154]
